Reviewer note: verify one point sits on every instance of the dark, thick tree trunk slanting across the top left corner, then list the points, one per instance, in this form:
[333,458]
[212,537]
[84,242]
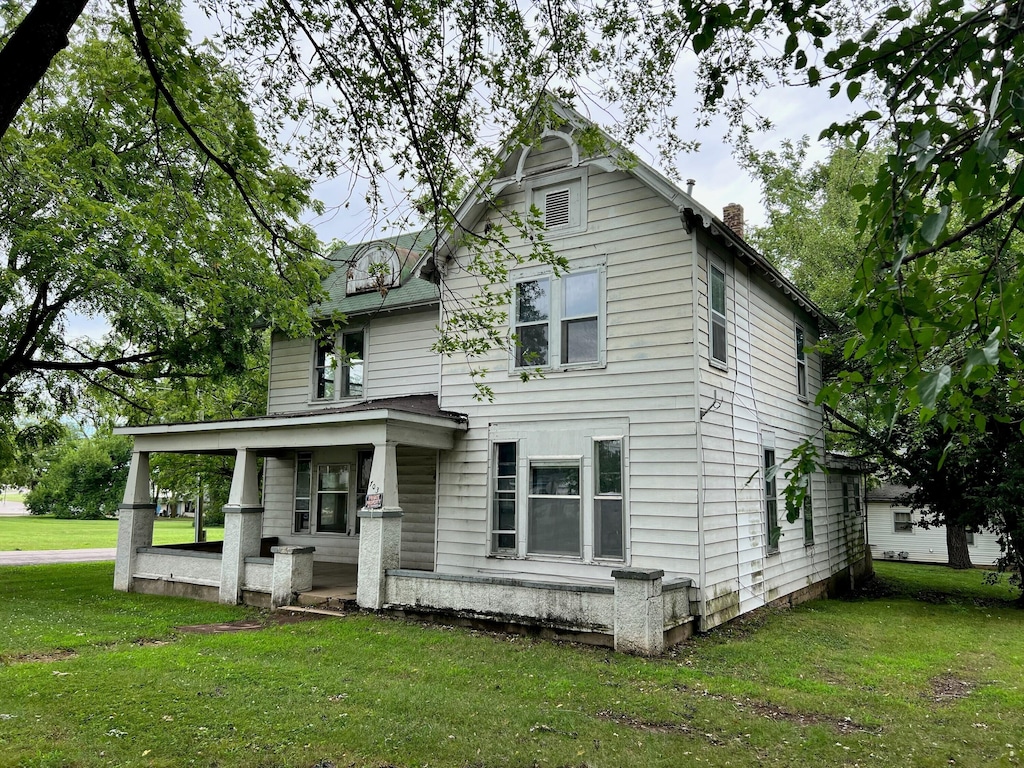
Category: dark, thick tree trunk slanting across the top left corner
[24,61]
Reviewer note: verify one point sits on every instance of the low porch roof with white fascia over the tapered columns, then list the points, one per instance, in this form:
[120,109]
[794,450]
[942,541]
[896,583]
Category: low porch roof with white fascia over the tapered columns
[407,421]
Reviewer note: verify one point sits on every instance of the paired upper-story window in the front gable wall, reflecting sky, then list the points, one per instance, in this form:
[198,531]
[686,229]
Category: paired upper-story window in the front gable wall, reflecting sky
[559,323]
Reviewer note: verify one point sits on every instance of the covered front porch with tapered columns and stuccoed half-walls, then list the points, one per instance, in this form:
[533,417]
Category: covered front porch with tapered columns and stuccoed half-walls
[268,559]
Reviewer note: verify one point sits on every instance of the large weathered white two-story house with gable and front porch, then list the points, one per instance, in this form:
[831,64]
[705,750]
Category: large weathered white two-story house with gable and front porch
[628,495]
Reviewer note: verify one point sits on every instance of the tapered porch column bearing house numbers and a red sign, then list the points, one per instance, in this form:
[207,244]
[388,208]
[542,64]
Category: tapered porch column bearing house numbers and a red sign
[380,533]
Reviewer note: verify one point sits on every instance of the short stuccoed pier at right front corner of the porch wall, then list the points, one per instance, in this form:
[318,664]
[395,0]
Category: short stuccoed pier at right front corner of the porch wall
[639,612]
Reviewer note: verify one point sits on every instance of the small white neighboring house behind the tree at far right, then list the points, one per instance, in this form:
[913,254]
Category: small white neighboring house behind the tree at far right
[895,534]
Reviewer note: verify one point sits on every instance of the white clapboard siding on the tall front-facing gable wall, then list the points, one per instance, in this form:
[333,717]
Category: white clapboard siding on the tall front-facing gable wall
[648,380]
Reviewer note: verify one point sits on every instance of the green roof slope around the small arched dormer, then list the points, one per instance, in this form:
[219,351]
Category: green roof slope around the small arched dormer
[411,291]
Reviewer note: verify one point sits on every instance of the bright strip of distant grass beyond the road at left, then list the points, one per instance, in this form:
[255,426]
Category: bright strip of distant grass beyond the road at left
[44,532]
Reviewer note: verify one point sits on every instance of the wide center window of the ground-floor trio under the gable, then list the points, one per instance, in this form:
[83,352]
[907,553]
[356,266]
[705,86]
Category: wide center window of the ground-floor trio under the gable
[553,510]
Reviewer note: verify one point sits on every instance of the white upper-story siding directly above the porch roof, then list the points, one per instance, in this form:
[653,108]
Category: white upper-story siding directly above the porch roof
[399,362]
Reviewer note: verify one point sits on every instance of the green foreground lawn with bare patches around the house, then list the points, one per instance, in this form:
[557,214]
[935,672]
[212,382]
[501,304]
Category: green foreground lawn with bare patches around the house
[911,674]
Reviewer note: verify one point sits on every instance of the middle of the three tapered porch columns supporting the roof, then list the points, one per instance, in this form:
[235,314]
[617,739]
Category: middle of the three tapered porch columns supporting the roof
[243,526]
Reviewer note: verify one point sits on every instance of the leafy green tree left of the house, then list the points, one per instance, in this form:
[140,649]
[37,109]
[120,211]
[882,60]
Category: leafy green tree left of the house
[112,210]
